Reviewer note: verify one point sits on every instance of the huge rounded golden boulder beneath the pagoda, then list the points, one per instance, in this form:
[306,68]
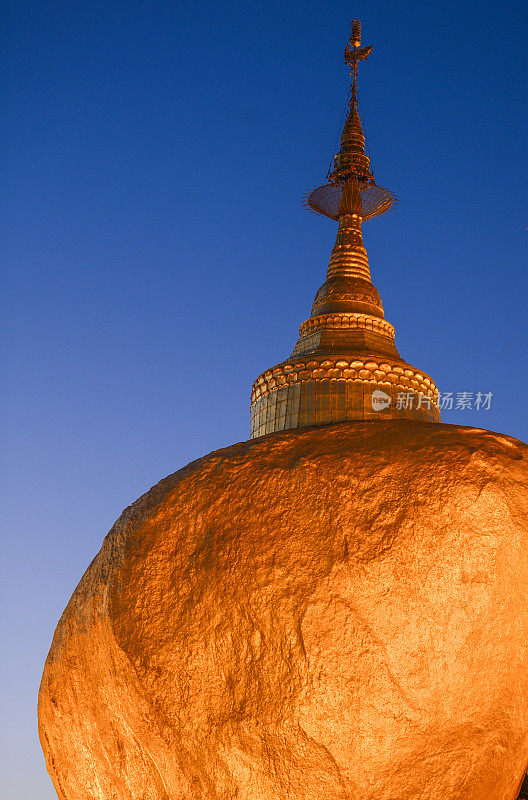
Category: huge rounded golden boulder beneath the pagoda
[332,613]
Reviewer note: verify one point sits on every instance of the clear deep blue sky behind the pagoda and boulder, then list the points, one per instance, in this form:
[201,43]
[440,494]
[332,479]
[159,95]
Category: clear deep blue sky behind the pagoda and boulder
[157,257]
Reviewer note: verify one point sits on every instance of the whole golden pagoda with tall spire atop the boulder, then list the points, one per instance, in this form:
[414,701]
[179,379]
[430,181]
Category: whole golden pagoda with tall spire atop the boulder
[345,365]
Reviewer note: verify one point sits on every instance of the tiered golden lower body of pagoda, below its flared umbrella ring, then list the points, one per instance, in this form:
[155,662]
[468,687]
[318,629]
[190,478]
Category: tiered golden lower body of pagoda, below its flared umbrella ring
[345,365]
